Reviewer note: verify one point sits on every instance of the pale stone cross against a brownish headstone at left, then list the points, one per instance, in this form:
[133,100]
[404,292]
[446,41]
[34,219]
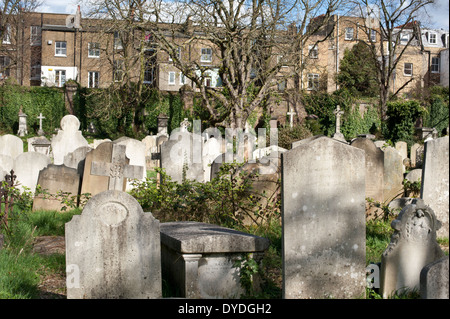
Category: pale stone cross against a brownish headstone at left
[117,170]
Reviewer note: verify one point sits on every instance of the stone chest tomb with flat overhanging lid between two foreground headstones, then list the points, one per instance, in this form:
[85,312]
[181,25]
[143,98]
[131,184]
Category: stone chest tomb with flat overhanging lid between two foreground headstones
[199,259]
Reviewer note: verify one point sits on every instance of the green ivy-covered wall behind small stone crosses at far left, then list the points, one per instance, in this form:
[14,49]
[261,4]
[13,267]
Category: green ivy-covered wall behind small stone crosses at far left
[33,101]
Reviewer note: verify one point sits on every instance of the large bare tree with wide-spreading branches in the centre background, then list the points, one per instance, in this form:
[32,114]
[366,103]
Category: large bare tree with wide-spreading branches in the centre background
[256,44]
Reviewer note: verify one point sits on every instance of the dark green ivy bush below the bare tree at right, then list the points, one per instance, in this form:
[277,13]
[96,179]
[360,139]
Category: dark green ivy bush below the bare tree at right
[402,116]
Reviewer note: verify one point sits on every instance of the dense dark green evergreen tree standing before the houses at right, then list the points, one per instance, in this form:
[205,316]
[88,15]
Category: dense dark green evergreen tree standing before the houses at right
[357,71]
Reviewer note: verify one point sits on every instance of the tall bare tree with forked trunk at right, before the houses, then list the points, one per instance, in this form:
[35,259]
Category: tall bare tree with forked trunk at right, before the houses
[389,19]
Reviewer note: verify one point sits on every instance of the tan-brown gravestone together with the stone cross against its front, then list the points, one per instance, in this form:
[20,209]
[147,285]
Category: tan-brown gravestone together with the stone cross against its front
[107,168]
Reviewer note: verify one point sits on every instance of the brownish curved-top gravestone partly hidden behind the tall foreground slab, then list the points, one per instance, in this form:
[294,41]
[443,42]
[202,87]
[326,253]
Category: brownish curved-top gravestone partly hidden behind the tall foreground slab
[374,170]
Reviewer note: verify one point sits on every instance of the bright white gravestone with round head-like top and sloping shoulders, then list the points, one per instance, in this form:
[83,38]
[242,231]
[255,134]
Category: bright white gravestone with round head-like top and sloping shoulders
[68,139]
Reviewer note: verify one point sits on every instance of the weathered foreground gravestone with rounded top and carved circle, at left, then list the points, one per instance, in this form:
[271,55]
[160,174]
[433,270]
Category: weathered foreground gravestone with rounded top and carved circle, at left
[113,250]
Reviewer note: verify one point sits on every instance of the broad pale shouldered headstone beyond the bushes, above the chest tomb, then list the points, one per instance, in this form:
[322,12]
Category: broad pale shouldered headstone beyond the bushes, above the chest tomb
[181,157]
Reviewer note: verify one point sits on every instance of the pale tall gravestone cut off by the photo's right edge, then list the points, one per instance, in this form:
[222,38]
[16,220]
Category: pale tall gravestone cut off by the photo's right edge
[435,180]
